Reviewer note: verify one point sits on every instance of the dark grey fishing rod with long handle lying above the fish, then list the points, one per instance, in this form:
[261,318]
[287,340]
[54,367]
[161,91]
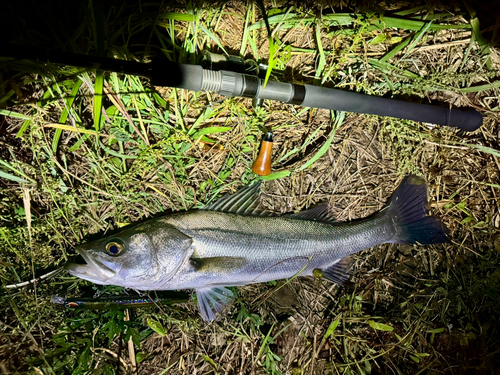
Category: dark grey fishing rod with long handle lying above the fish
[231,83]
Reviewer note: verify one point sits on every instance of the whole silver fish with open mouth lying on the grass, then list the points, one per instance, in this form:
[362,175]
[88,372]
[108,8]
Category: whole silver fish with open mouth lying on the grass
[235,241]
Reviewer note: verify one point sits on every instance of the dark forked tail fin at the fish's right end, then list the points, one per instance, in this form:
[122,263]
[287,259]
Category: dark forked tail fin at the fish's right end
[409,211]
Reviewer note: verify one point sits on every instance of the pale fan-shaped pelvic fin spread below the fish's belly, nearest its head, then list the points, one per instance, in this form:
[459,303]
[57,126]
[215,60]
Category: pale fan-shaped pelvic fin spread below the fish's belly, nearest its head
[213,301]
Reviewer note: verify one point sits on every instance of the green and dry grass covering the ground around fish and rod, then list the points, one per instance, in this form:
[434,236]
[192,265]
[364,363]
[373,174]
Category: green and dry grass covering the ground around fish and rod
[94,151]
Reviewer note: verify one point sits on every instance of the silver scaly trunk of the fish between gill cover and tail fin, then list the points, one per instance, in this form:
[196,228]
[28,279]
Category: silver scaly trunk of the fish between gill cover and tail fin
[258,249]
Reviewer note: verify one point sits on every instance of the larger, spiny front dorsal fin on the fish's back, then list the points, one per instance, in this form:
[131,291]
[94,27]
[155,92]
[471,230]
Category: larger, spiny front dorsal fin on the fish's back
[245,201]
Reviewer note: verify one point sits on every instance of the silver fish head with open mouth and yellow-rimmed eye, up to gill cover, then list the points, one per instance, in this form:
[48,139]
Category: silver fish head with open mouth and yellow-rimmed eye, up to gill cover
[143,257]
